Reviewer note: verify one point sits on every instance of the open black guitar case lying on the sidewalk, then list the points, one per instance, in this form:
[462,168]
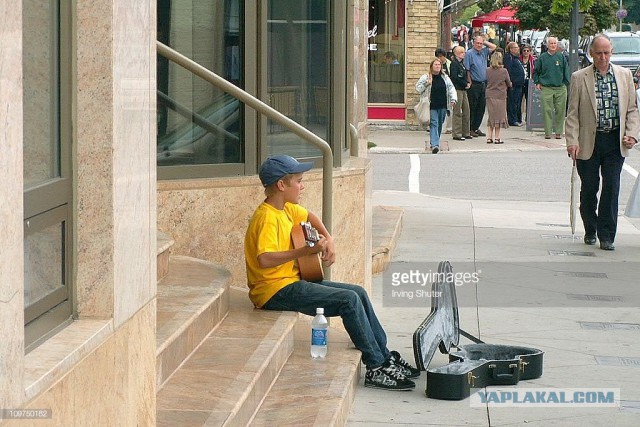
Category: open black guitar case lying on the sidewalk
[471,366]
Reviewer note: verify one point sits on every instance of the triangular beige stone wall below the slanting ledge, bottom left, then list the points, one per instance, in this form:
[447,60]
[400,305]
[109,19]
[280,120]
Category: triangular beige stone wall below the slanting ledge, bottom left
[112,386]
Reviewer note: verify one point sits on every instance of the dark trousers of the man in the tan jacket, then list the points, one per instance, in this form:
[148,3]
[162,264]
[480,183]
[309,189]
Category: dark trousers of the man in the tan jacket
[607,161]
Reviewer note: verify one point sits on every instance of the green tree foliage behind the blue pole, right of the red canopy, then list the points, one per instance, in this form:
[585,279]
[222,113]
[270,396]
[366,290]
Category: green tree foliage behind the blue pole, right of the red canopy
[556,14]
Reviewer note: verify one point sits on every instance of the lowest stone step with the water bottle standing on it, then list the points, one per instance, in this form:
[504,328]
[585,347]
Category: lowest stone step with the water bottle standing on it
[313,392]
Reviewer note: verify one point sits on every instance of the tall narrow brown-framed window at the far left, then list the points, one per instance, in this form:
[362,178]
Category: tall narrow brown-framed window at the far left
[46,157]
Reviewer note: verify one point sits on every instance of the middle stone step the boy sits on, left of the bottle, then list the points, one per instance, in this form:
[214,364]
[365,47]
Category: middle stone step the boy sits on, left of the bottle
[226,378]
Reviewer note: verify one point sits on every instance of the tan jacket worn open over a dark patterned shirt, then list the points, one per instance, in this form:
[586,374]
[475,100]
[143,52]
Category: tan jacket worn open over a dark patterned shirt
[580,126]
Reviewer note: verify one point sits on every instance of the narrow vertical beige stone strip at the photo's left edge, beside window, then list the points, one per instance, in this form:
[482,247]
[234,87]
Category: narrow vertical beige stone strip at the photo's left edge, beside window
[11,208]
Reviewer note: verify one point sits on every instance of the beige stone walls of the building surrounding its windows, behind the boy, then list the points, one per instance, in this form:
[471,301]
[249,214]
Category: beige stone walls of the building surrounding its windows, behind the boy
[101,369]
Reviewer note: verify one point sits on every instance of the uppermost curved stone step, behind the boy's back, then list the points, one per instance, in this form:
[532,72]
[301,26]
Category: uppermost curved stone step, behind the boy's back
[192,299]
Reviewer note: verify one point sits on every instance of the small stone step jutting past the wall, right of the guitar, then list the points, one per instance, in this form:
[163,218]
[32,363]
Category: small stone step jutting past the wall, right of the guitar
[385,230]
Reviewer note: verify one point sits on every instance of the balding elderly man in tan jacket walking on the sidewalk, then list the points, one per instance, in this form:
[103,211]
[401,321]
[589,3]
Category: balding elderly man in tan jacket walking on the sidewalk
[602,125]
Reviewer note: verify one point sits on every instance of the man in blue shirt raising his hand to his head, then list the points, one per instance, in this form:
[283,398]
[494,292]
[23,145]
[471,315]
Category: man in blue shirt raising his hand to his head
[476,61]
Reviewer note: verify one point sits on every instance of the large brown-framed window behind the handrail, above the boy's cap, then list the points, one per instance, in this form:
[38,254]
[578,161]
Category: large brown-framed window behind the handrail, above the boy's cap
[284,52]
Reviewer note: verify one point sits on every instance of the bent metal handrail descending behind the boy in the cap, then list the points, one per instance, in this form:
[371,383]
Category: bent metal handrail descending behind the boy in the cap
[275,115]
